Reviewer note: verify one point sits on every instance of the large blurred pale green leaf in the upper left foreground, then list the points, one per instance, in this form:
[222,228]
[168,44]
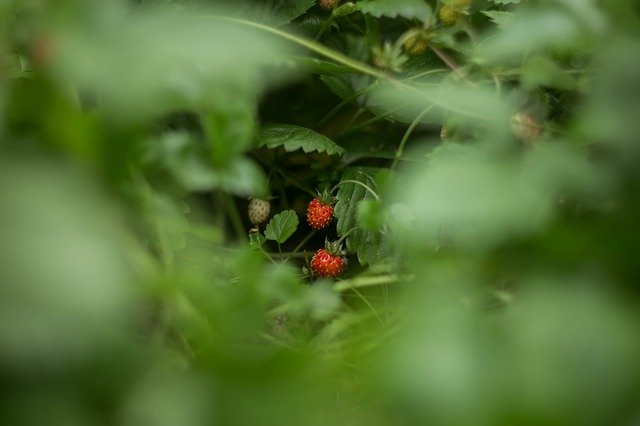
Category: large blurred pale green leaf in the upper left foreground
[173,58]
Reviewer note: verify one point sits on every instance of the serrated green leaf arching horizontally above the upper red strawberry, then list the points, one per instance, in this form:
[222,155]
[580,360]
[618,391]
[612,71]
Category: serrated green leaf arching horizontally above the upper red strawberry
[295,137]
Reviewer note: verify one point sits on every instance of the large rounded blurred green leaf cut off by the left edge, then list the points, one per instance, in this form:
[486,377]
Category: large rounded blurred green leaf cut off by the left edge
[64,268]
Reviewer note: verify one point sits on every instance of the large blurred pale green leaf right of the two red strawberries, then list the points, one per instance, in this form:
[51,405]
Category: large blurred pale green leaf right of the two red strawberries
[466,198]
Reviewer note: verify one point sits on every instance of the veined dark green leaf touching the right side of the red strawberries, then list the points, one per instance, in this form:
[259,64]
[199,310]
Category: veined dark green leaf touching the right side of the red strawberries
[370,246]
